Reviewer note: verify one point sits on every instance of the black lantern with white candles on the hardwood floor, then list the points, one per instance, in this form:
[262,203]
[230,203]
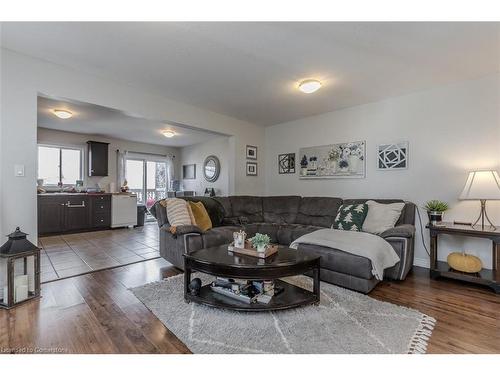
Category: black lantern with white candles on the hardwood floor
[19,270]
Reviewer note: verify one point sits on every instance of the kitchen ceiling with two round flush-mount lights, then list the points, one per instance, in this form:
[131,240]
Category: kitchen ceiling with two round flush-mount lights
[97,120]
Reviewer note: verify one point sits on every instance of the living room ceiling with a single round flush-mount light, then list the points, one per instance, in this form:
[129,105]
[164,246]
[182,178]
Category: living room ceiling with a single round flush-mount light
[250,70]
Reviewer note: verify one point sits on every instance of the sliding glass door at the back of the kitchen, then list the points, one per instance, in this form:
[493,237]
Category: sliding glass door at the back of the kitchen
[148,179]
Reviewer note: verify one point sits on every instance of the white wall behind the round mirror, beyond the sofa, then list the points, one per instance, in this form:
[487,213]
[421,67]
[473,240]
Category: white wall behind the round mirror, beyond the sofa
[196,154]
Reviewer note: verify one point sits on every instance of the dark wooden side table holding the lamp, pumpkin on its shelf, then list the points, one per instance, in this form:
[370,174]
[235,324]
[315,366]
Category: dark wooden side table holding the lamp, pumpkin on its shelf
[486,277]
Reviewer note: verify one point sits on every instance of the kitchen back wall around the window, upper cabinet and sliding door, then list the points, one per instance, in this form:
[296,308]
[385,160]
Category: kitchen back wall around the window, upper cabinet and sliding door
[50,136]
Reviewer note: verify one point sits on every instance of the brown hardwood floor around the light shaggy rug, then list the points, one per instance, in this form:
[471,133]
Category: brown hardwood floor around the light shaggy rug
[95,313]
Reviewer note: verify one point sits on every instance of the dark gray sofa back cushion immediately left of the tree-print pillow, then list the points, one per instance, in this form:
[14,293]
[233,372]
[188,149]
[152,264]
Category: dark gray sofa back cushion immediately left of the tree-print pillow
[318,211]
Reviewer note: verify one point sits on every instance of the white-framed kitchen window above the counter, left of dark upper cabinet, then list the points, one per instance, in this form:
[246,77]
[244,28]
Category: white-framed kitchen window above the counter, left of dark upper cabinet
[59,164]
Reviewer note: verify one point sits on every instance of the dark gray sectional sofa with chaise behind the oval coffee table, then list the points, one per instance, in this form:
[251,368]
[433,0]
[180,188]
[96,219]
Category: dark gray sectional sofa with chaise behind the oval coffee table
[284,219]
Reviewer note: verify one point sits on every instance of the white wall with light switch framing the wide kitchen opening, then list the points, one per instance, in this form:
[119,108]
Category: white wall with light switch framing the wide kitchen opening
[23,78]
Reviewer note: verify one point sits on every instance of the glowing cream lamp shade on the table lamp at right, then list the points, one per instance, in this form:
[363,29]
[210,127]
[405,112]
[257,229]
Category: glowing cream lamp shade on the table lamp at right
[482,185]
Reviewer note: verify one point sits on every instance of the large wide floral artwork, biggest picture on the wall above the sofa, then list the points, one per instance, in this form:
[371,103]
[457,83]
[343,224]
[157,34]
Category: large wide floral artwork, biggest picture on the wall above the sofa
[340,160]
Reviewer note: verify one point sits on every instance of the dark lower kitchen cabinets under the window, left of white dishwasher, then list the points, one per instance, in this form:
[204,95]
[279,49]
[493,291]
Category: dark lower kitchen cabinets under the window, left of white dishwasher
[62,213]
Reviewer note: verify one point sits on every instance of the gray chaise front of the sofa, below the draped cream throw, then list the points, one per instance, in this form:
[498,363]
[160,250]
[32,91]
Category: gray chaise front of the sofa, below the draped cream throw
[340,261]
